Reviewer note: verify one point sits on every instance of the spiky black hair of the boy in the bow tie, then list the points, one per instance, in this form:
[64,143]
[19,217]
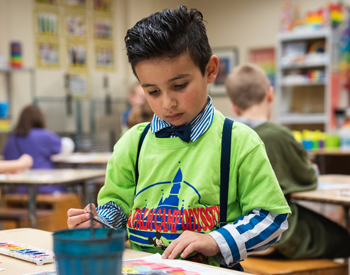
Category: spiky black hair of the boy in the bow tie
[168,34]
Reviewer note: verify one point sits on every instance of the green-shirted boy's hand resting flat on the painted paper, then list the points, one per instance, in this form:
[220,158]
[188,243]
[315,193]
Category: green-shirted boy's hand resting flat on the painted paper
[189,242]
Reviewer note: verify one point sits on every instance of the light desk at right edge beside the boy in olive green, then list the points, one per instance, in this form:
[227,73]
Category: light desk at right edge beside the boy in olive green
[330,195]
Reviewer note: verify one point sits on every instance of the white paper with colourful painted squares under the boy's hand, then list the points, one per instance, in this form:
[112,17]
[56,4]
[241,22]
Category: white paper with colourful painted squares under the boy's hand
[157,263]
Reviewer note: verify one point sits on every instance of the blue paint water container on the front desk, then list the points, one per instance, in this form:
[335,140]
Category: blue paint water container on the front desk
[79,254]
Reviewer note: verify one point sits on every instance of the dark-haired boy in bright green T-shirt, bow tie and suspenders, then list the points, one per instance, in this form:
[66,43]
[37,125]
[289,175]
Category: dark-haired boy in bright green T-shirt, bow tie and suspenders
[177,197]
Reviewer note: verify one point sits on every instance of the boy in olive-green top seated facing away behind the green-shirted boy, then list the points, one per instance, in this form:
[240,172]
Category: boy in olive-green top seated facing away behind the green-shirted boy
[309,235]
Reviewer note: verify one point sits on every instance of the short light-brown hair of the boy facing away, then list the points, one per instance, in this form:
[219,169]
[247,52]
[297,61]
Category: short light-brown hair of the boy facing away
[247,85]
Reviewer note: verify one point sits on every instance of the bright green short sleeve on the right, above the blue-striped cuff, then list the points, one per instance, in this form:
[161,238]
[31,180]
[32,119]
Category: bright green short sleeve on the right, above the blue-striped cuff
[257,184]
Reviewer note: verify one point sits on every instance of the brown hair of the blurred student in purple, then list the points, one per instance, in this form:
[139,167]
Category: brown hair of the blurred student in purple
[31,117]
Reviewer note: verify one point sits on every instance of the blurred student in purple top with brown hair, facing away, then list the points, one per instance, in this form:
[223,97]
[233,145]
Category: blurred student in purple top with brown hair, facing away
[30,137]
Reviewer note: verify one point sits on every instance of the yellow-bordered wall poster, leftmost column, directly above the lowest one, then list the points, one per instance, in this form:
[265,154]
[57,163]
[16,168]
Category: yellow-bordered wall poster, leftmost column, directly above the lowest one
[46,23]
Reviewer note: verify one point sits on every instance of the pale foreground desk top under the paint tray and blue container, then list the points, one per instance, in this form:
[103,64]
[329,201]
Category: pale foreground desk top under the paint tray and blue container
[43,239]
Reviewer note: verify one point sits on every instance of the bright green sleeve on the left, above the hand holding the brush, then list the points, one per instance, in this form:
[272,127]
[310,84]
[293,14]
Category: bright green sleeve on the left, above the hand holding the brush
[119,184]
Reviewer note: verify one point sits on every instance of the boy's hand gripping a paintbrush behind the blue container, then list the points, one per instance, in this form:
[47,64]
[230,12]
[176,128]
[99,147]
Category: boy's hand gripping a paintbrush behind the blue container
[80,218]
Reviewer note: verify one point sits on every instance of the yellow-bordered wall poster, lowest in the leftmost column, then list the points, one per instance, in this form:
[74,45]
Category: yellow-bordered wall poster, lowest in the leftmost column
[47,53]
